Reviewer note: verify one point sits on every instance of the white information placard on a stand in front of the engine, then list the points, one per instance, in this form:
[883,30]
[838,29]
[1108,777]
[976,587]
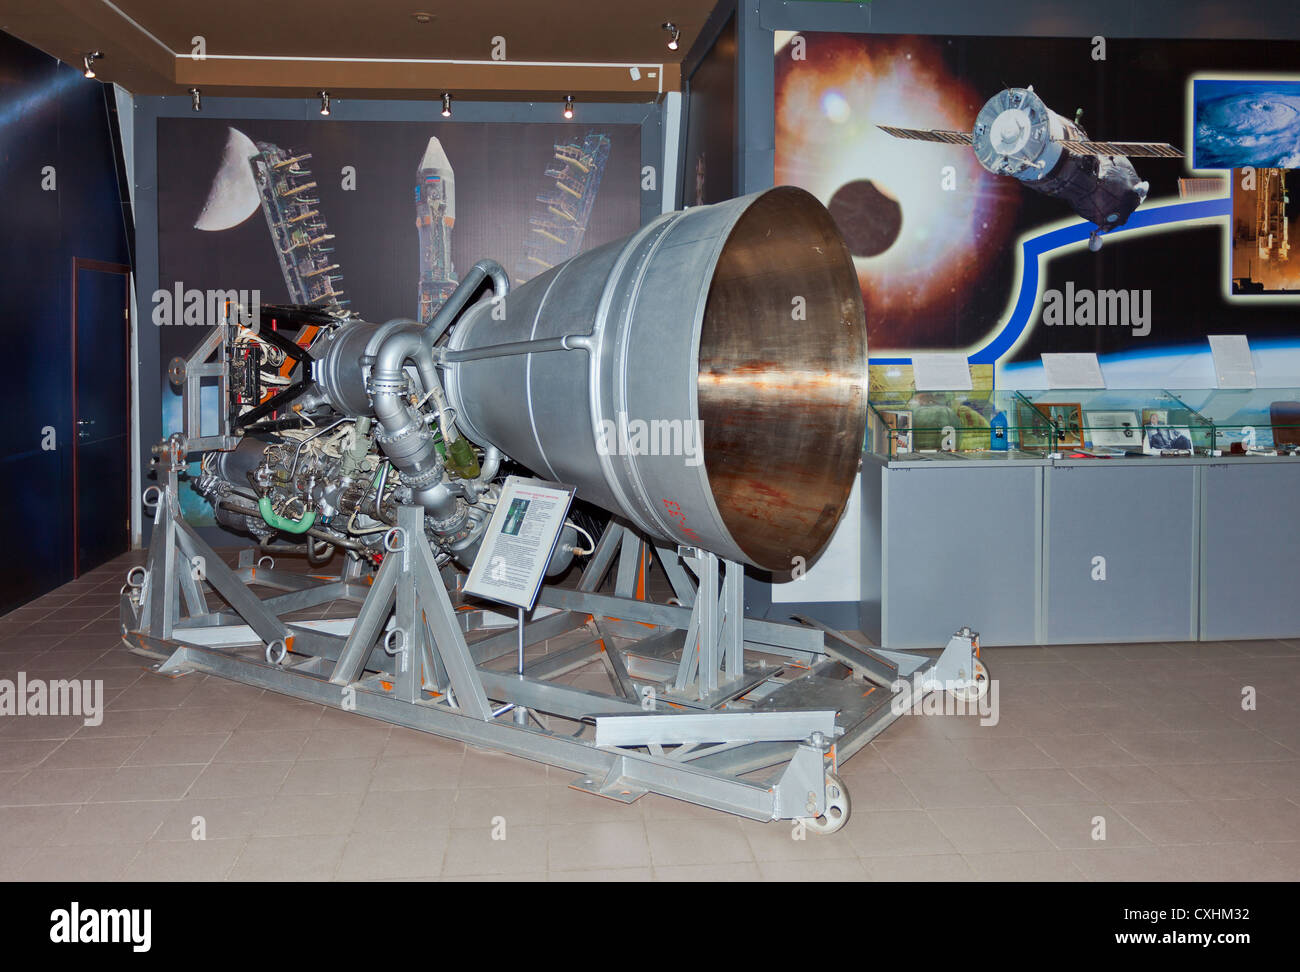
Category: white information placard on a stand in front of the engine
[519,541]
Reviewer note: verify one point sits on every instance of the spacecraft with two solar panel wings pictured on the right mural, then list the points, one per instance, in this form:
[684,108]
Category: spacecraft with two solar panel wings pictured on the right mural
[1016,134]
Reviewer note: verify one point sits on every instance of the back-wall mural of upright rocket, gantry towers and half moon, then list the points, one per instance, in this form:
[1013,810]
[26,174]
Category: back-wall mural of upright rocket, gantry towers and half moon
[376,218]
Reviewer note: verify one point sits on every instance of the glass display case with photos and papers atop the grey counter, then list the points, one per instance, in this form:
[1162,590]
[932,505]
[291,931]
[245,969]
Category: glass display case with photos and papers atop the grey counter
[1082,424]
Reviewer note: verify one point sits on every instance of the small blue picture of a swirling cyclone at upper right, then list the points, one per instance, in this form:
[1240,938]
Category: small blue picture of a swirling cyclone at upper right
[1247,123]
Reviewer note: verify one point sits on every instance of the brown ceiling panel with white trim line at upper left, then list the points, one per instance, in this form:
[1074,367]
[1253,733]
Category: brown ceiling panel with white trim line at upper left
[371,50]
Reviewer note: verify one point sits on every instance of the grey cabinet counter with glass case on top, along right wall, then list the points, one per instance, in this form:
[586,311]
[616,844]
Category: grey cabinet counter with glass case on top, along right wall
[1059,537]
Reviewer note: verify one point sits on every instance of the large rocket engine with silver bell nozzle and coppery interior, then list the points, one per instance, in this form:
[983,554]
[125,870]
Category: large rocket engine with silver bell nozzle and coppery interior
[742,322]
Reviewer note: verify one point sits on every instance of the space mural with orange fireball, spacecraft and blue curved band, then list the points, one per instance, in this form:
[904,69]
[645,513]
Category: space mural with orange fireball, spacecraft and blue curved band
[1009,197]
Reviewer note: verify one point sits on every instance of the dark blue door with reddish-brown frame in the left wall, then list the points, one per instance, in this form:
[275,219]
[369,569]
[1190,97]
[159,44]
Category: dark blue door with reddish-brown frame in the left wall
[102,413]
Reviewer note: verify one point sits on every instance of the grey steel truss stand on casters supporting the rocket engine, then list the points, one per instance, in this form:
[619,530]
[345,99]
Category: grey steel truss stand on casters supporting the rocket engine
[703,698]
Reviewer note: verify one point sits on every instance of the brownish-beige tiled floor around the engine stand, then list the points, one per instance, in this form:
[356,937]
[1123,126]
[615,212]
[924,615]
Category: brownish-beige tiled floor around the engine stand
[1149,745]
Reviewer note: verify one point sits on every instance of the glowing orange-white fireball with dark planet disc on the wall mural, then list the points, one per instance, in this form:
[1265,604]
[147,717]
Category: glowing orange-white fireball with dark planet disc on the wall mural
[928,231]
